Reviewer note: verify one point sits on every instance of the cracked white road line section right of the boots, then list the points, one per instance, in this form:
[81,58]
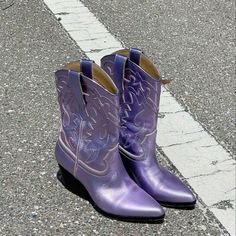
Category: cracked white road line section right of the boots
[208,168]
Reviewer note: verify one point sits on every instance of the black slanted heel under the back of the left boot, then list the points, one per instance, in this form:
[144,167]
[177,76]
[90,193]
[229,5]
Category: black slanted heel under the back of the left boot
[72,184]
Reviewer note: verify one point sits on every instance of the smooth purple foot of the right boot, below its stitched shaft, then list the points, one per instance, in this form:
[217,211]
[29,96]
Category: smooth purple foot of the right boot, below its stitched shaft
[159,182]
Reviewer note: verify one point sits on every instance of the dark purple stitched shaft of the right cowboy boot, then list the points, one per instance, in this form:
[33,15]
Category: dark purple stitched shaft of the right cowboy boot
[139,101]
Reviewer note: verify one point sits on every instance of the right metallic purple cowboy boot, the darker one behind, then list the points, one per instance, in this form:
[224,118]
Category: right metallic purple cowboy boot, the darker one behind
[140,86]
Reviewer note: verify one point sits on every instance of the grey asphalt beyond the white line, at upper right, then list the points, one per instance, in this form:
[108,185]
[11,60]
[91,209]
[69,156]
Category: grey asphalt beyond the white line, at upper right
[191,42]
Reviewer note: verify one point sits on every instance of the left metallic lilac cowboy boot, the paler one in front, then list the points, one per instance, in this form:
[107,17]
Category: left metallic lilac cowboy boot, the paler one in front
[87,147]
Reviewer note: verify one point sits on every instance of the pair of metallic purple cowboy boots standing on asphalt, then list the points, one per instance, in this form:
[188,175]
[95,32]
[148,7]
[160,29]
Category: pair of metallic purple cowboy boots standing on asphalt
[108,133]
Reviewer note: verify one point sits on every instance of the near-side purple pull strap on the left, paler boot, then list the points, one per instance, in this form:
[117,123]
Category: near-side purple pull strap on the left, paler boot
[77,90]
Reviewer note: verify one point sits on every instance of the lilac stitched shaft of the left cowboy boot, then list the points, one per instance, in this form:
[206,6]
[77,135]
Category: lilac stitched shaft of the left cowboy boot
[90,119]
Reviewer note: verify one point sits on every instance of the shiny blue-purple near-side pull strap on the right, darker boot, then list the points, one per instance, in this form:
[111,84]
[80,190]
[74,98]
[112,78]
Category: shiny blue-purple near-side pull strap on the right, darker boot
[119,71]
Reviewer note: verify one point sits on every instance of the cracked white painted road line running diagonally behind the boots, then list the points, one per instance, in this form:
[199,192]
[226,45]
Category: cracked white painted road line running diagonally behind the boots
[208,168]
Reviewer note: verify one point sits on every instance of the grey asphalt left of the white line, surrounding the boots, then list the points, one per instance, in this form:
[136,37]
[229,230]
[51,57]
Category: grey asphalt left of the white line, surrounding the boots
[32,200]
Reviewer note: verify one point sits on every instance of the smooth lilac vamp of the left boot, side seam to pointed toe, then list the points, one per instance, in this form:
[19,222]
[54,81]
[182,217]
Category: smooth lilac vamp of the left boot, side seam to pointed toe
[116,193]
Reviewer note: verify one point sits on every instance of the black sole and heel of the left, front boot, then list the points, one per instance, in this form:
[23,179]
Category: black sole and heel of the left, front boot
[75,186]
